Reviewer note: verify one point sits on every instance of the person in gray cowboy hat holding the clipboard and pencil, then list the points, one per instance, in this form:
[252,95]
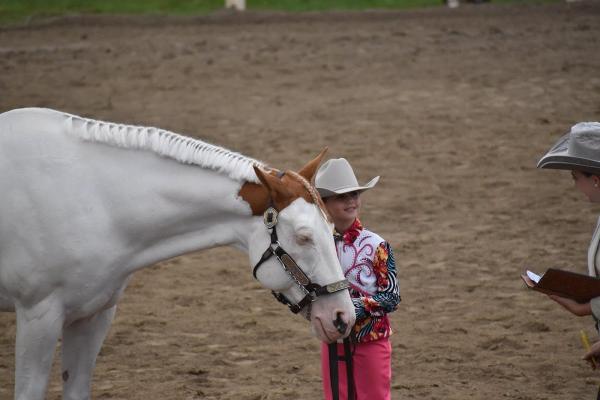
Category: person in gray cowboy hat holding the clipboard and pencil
[579,152]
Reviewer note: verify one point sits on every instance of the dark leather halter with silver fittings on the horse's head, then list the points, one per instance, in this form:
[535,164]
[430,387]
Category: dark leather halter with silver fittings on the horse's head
[311,290]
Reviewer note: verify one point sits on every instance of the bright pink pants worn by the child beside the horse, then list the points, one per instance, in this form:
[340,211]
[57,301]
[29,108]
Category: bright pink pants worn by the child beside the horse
[372,370]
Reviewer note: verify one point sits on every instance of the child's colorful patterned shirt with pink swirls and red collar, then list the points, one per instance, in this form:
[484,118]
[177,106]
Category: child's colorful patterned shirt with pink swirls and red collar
[368,263]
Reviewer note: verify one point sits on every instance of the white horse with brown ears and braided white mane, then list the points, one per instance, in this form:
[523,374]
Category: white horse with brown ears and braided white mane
[84,204]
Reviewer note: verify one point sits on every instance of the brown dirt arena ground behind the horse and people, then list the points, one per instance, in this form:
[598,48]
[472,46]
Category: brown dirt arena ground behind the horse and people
[452,107]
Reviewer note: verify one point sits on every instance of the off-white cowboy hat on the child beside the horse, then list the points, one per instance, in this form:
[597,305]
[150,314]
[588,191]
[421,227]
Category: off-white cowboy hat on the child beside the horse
[336,176]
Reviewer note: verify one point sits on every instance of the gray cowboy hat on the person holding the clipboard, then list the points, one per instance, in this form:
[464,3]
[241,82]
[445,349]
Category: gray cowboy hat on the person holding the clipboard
[577,150]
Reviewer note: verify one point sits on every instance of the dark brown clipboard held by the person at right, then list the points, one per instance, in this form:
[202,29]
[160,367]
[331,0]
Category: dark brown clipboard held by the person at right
[579,287]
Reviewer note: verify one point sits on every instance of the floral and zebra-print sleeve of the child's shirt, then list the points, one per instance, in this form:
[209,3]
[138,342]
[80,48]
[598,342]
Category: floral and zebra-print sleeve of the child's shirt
[387,297]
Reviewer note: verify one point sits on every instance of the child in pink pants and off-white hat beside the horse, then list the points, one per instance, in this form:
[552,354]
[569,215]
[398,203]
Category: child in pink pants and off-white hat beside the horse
[368,263]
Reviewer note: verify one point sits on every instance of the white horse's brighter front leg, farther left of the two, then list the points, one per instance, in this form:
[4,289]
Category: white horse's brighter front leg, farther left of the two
[38,329]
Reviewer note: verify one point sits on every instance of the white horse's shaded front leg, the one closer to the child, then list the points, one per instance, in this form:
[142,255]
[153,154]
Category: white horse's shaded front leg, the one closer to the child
[82,341]
